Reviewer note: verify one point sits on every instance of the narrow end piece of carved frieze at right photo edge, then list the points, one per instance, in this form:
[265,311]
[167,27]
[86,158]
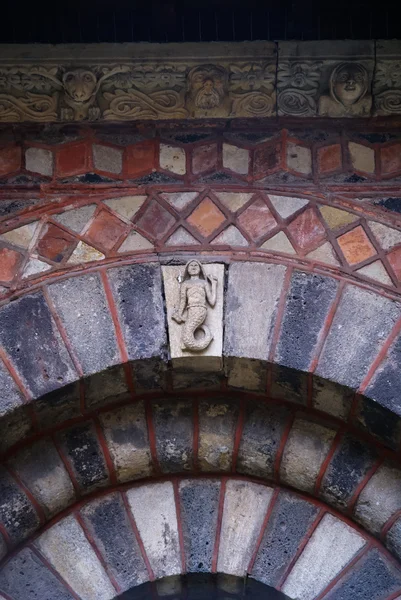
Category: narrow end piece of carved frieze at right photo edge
[387,82]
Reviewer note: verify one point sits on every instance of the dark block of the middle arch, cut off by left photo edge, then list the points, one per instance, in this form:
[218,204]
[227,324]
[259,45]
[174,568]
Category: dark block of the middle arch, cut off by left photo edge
[17,514]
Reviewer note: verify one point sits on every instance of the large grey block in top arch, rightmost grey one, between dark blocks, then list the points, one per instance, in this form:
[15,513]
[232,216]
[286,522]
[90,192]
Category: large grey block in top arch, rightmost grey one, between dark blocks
[351,346]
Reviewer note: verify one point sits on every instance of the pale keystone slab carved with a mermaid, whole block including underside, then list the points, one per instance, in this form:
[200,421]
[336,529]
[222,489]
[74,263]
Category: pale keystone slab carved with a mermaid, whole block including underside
[194,298]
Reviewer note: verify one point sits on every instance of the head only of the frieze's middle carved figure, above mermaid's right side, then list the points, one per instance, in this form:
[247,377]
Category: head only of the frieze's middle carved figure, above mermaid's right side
[207,86]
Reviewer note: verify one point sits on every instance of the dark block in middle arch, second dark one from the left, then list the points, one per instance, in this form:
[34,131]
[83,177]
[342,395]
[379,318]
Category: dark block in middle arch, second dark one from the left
[82,447]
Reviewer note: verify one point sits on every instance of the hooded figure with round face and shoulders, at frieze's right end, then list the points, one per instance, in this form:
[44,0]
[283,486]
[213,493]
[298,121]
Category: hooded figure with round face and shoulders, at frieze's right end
[348,97]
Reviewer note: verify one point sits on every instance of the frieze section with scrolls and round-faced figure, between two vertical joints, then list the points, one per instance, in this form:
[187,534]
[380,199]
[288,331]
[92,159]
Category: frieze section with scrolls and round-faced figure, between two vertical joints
[326,79]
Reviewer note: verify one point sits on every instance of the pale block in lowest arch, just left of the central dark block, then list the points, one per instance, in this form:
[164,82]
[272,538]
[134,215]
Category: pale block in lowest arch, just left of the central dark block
[154,511]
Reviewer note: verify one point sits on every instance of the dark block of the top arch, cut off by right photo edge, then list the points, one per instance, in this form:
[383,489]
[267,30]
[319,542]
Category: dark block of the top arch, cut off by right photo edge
[385,386]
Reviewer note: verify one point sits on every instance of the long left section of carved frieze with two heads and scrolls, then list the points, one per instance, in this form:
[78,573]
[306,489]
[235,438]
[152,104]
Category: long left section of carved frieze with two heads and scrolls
[137,81]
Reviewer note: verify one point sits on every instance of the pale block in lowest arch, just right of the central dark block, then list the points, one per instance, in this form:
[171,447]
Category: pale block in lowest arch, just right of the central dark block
[245,507]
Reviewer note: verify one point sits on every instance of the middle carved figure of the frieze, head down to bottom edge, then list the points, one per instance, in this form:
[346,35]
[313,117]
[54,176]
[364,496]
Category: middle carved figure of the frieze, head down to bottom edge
[207,93]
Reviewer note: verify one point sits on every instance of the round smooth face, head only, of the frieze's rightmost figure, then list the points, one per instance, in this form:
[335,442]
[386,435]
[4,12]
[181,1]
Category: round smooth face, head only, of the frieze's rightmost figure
[349,83]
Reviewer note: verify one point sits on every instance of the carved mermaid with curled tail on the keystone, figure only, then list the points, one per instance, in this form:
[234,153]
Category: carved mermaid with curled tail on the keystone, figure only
[197,290]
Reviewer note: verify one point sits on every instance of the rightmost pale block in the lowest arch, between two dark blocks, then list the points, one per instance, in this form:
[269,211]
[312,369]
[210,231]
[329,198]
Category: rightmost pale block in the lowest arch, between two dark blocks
[332,545]
